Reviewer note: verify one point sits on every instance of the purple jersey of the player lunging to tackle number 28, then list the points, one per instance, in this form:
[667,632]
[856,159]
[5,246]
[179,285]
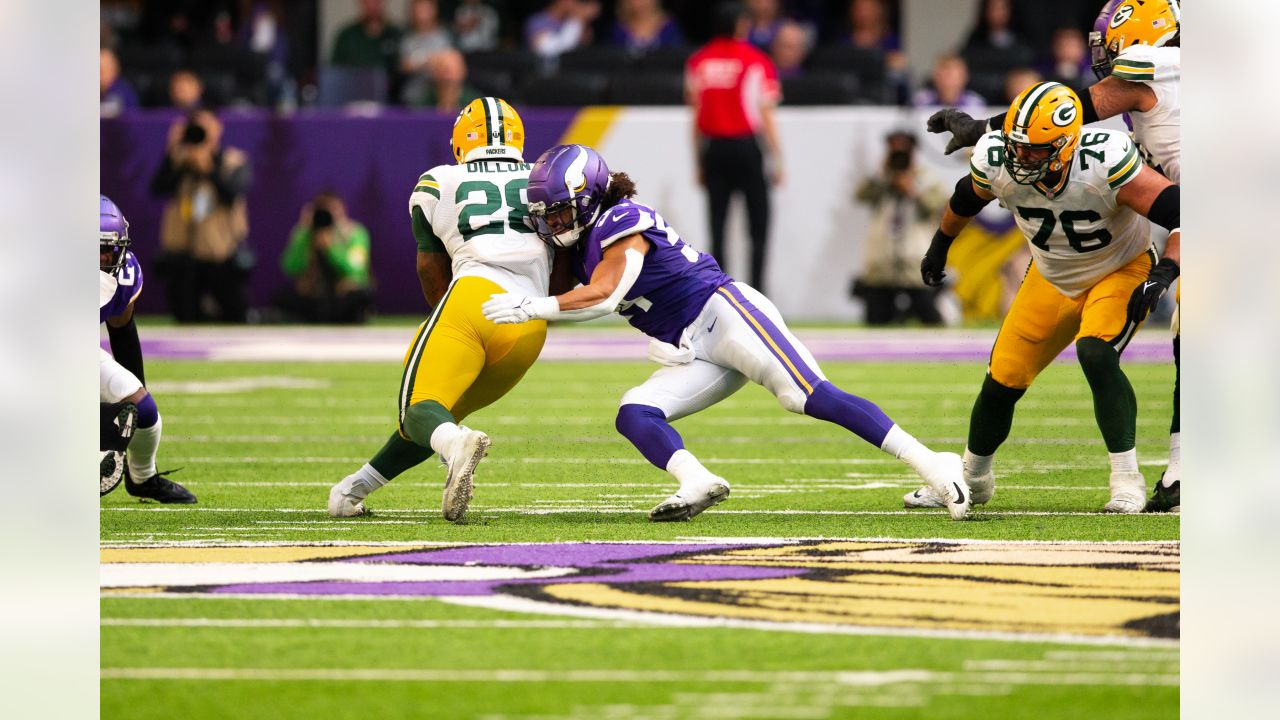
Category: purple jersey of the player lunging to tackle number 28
[675,282]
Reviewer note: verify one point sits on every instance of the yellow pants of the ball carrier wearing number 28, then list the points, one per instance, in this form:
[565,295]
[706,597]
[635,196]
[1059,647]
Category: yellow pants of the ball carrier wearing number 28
[463,361]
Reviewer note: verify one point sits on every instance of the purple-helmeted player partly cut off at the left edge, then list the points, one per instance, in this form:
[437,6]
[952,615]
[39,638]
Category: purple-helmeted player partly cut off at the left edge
[121,371]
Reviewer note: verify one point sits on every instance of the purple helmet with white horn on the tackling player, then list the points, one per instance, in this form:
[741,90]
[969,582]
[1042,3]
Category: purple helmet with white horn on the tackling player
[566,188]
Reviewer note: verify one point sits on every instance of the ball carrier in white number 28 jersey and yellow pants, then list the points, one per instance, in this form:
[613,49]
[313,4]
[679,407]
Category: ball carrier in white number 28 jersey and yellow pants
[469,222]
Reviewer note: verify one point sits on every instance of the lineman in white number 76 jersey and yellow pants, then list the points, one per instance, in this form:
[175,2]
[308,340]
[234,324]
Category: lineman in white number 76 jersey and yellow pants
[1080,198]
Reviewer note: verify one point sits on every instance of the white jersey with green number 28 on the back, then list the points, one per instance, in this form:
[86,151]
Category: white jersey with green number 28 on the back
[477,213]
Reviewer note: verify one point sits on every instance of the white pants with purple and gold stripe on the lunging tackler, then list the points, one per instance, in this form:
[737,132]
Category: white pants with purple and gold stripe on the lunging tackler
[739,336]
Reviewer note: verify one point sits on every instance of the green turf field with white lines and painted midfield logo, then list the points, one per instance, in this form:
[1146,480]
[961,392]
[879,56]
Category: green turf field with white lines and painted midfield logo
[767,607]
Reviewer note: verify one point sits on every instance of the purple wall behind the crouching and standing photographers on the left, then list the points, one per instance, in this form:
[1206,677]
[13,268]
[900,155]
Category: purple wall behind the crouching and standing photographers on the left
[372,161]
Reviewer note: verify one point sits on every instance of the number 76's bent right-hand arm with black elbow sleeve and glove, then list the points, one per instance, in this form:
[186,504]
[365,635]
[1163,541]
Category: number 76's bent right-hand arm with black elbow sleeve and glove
[1151,195]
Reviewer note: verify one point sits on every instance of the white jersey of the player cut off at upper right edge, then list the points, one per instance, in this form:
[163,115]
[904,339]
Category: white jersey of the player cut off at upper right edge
[1159,131]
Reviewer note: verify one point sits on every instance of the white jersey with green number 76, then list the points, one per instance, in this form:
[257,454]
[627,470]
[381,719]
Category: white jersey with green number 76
[1081,234]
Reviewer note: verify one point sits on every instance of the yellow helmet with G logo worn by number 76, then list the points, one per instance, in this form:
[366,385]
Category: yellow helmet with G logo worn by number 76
[1041,131]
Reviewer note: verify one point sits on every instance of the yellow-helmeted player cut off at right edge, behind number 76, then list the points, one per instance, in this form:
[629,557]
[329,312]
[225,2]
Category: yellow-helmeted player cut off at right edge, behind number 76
[1137,57]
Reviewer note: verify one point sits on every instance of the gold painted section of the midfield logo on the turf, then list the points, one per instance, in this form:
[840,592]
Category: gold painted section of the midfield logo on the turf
[1034,589]
